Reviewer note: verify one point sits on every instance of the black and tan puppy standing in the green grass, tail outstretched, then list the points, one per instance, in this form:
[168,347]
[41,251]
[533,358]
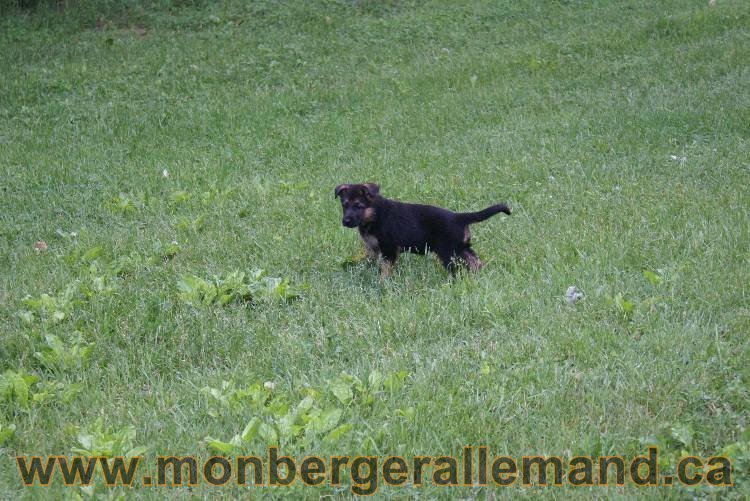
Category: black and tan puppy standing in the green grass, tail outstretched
[388,227]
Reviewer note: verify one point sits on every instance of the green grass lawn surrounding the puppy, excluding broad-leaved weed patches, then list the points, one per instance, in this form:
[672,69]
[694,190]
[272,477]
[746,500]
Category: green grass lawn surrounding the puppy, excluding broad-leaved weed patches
[570,111]
